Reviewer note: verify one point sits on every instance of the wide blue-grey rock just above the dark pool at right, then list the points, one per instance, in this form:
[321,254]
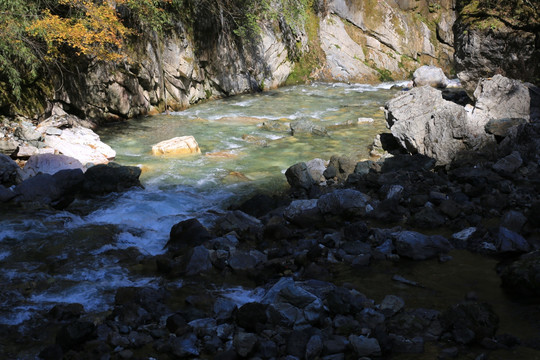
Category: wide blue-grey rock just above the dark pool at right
[420,247]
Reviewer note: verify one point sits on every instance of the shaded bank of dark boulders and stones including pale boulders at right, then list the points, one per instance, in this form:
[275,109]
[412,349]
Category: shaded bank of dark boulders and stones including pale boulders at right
[275,276]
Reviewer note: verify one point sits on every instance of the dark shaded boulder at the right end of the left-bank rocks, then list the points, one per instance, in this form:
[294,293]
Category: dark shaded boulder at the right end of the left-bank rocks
[107,178]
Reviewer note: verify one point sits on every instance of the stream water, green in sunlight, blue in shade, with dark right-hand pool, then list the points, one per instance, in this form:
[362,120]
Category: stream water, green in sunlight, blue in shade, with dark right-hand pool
[72,256]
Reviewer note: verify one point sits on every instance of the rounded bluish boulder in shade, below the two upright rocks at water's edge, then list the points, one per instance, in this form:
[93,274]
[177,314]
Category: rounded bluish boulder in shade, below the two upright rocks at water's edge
[346,202]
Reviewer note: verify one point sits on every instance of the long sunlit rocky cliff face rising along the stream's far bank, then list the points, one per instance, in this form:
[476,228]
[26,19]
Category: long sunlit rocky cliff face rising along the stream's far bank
[357,41]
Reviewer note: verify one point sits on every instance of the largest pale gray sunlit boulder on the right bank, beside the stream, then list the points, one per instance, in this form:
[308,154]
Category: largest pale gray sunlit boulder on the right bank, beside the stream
[423,122]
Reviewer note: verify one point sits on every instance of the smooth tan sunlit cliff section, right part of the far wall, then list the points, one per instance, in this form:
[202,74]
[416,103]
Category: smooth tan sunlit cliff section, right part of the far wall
[383,40]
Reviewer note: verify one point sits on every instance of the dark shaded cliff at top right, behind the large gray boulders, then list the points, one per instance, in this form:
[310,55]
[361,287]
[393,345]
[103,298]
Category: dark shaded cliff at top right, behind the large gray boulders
[497,37]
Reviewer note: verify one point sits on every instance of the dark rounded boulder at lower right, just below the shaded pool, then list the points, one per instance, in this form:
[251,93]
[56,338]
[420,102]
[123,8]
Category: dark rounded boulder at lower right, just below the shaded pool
[470,322]
